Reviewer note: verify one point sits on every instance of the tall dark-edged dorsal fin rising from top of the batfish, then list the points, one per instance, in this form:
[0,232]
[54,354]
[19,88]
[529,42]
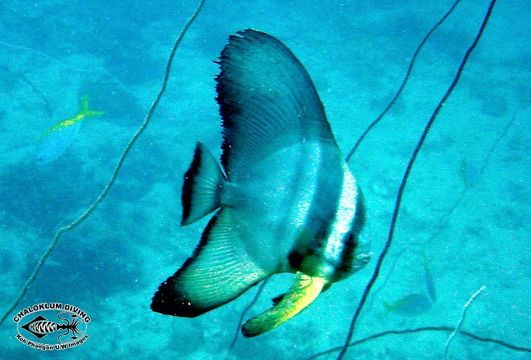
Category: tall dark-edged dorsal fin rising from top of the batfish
[266,100]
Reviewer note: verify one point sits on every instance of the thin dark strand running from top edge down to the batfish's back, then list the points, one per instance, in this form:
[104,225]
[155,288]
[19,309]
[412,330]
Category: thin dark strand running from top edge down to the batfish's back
[404,81]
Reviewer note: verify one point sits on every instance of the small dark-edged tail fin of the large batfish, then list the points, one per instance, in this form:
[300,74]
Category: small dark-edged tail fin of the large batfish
[202,186]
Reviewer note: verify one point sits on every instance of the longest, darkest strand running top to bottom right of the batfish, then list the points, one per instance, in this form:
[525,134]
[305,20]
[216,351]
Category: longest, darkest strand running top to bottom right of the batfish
[405,177]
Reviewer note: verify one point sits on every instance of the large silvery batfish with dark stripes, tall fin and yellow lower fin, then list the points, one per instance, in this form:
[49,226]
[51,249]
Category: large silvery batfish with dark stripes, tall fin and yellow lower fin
[284,197]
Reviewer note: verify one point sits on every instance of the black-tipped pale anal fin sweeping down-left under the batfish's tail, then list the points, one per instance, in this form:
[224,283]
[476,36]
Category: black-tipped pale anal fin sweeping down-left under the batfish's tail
[218,271]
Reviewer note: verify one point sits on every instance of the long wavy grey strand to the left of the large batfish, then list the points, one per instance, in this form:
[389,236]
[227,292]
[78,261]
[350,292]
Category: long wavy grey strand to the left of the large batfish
[107,188]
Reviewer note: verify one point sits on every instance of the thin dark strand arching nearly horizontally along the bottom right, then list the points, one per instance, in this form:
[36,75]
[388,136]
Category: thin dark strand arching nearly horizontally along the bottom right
[443,329]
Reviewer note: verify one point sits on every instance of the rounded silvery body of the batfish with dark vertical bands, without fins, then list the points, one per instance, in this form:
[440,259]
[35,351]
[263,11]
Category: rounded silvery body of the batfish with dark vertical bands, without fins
[309,202]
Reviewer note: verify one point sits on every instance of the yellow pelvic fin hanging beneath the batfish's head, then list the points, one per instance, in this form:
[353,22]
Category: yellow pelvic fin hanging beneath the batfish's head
[303,292]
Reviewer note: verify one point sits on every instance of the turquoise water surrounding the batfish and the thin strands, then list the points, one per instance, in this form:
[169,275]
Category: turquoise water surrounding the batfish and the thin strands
[464,214]
